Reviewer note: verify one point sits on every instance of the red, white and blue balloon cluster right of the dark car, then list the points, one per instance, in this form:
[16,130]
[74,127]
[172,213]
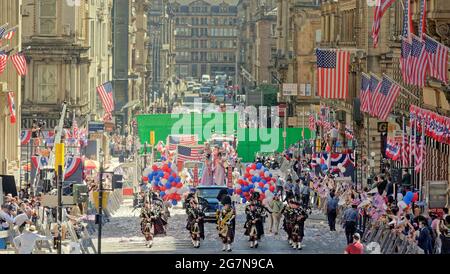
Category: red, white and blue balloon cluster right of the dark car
[257,178]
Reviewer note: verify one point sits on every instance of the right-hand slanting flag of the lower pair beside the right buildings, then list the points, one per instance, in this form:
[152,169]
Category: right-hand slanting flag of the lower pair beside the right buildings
[388,93]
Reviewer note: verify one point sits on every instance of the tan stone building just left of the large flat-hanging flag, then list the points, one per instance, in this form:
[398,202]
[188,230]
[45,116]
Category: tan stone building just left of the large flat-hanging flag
[298,34]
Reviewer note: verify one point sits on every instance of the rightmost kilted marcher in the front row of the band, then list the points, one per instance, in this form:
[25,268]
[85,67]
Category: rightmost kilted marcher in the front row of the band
[294,222]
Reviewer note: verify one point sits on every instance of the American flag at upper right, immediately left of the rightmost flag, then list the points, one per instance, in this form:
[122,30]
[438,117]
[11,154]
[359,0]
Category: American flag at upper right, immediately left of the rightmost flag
[418,62]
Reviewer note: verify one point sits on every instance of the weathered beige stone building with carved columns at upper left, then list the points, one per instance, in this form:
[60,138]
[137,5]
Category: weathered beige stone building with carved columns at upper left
[70,55]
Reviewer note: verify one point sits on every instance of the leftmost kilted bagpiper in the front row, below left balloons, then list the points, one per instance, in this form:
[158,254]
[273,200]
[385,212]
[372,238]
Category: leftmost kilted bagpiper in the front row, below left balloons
[153,220]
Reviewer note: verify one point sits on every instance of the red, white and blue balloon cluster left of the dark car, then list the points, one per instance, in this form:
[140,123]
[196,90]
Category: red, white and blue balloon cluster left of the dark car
[165,180]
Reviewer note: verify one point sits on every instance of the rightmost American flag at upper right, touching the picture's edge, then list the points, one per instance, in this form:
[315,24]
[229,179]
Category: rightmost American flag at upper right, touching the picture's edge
[437,55]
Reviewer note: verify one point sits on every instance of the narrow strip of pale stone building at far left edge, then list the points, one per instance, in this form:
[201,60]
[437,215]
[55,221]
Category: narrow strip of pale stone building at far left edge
[10,81]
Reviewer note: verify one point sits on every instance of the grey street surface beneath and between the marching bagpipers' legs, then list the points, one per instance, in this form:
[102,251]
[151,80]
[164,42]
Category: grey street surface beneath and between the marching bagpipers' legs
[122,235]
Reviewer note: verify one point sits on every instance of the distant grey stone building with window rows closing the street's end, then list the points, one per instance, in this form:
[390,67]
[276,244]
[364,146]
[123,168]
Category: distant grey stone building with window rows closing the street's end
[205,37]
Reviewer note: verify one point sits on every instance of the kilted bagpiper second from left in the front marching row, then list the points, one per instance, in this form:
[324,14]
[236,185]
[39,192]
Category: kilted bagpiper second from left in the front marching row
[195,221]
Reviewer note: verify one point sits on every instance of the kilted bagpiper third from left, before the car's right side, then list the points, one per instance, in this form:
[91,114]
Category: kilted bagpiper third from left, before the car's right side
[226,223]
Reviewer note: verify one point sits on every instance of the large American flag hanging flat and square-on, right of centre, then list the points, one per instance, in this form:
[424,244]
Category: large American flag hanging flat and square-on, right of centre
[332,73]
